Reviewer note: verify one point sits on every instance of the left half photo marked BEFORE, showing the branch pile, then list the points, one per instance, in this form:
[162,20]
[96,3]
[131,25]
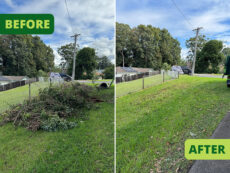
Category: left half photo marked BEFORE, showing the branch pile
[57,86]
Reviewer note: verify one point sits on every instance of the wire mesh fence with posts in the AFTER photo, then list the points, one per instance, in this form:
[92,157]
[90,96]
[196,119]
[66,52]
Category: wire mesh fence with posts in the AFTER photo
[124,88]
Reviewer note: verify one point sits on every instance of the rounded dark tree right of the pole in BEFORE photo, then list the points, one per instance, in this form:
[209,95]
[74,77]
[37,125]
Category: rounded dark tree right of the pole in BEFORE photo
[85,63]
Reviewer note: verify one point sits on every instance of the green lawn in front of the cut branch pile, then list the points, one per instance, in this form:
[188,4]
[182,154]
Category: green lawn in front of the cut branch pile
[85,148]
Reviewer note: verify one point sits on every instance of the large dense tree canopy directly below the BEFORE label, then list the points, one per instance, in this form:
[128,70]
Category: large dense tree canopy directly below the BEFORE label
[25,55]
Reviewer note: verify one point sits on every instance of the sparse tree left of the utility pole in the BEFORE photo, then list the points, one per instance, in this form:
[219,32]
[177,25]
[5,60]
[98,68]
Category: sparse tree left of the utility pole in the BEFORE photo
[66,52]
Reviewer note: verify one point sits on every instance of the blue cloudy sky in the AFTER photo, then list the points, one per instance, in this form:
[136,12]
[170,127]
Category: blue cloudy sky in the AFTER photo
[212,15]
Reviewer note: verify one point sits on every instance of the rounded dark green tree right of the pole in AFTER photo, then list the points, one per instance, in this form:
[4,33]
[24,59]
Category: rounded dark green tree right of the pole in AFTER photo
[210,57]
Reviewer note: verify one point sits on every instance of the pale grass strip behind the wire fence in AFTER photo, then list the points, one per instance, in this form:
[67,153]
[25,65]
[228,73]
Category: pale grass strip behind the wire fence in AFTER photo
[125,88]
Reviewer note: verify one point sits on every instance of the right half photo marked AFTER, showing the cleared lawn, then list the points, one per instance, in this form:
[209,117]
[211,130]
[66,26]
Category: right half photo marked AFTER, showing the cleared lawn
[172,65]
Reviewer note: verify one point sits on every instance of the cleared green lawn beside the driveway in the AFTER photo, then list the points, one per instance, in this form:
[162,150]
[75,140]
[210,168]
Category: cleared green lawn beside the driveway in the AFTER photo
[153,124]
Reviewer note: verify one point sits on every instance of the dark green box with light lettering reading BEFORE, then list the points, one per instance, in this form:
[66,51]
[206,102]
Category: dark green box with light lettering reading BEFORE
[26,23]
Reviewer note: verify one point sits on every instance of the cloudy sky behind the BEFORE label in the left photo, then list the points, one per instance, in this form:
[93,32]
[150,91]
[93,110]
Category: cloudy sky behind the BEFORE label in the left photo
[93,19]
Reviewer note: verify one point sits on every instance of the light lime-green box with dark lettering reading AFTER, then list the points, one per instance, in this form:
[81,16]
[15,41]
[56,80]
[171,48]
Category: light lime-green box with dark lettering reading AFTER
[207,149]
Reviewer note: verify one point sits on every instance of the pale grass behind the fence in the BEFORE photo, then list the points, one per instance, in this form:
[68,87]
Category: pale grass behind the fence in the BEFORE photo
[19,94]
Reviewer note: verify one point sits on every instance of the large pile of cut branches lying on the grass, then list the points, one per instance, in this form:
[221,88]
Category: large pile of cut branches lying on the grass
[51,109]
